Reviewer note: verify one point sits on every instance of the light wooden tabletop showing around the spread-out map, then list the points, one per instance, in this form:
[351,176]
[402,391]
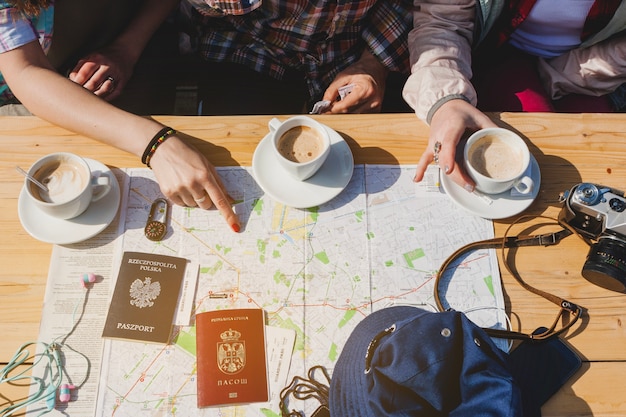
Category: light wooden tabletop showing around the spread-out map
[570,148]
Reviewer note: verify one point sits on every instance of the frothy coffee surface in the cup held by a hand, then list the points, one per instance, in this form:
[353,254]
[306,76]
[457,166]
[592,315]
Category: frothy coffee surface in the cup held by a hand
[494,158]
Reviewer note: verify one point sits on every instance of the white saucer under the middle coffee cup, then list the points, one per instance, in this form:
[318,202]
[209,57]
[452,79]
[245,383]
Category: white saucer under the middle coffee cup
[322,187]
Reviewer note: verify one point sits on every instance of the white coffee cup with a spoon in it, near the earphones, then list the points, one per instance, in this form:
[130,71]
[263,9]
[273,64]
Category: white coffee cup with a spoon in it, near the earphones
[72,187]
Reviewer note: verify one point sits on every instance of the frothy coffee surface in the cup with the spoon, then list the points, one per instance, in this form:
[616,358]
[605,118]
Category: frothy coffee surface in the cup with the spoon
[65,181]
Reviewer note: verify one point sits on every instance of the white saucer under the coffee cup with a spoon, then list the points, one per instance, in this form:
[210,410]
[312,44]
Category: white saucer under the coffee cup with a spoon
[95,219]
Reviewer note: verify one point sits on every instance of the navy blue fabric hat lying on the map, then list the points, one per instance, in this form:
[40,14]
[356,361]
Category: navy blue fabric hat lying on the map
[404,361]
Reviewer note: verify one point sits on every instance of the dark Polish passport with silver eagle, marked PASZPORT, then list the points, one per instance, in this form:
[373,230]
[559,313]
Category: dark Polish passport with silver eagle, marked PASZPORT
[145,297]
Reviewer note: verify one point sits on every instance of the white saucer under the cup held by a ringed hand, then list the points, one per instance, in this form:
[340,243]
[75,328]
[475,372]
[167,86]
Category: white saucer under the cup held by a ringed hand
[503,205]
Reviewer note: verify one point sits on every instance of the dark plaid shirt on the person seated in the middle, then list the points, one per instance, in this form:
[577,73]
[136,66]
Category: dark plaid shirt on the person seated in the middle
[318,38]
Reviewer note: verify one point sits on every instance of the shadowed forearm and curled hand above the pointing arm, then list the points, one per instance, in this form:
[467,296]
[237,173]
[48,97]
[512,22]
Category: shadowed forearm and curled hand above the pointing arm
[118,59]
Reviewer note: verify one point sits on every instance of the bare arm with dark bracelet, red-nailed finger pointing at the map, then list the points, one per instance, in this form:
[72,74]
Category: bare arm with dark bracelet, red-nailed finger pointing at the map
[182,172]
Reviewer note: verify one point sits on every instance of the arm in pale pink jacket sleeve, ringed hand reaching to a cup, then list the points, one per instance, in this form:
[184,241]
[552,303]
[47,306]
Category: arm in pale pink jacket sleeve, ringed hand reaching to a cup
[439,87]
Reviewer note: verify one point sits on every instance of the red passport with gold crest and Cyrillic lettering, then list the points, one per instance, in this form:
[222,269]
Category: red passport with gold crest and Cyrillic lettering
[231,357]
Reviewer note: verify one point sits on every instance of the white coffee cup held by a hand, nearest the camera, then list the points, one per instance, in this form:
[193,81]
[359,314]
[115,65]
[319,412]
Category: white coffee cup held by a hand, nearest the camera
[497,159]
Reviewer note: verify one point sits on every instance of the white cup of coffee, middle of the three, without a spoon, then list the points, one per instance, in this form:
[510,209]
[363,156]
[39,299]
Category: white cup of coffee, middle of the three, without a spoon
[300,144]
